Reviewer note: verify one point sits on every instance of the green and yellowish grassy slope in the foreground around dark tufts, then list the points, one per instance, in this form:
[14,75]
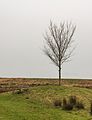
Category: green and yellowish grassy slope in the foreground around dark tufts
[39,105]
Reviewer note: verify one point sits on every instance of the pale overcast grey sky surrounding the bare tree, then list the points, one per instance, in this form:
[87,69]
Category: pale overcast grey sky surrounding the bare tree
[22,24]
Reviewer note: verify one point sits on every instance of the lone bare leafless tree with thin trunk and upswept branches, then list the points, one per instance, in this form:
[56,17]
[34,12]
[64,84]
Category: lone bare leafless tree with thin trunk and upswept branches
[58,43]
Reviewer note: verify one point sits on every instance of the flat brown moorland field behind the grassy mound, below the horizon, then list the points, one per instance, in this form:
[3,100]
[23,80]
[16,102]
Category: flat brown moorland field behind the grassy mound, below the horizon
[9,84]
